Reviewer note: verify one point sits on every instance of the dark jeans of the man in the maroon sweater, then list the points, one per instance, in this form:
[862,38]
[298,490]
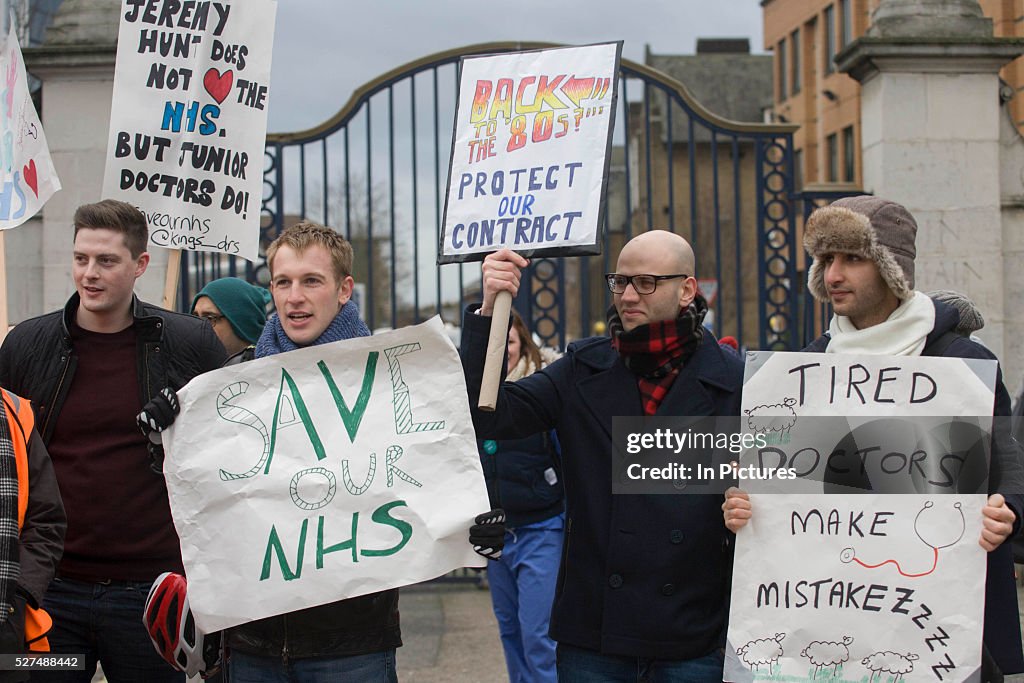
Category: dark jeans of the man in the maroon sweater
[104,622]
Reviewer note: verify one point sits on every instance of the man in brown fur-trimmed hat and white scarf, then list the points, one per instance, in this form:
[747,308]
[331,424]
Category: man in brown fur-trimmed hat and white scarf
[864,249]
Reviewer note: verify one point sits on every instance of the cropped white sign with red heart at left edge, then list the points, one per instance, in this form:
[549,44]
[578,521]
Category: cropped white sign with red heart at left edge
[30,179]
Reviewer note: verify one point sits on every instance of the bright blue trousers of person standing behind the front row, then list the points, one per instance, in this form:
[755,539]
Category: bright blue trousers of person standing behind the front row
[523,588]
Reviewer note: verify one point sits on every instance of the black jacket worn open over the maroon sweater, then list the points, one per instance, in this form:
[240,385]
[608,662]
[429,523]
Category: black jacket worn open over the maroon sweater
[37,360]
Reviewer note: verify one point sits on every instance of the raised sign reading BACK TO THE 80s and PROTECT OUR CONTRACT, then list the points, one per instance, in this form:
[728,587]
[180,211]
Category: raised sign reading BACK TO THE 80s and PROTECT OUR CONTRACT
[530,157]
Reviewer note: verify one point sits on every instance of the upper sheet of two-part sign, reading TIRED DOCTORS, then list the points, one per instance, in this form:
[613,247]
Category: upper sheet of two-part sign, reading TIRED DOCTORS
[845,423]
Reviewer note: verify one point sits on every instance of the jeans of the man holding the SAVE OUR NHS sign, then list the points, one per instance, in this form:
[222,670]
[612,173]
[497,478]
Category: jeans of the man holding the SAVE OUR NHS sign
[374,668]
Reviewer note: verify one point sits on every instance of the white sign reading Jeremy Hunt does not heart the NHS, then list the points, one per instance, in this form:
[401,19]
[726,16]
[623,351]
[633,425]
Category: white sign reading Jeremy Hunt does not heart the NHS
[189,120]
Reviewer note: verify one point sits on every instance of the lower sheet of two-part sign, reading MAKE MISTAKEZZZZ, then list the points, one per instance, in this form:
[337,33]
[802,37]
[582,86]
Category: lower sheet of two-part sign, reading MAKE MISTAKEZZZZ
[851,588]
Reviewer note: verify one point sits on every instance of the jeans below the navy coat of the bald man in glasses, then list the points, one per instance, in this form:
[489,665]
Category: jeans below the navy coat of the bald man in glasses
[580,666]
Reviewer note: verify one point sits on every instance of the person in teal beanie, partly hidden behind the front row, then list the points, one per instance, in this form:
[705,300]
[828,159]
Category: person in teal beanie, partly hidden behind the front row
[238,312]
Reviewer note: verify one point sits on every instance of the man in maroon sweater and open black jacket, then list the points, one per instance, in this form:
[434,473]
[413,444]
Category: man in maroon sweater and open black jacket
[89,370]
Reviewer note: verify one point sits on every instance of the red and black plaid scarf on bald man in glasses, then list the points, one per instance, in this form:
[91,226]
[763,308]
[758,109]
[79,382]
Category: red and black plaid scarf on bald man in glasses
[657,352]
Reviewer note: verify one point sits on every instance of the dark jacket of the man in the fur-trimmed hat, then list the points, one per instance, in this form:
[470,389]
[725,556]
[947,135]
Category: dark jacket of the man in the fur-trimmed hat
[1003,635]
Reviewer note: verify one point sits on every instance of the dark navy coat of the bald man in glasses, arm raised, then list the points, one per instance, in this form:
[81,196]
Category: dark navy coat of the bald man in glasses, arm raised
[642,576]
